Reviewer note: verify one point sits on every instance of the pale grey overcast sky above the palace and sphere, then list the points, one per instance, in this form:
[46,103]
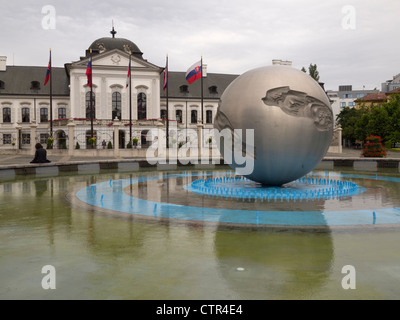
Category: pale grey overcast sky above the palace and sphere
[357,45]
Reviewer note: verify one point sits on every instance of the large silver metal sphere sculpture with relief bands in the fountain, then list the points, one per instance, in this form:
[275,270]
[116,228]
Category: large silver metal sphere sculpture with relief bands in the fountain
[292,120]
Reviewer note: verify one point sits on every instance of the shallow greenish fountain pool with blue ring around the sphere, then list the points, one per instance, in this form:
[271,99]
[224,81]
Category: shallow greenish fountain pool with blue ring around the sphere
[151,235]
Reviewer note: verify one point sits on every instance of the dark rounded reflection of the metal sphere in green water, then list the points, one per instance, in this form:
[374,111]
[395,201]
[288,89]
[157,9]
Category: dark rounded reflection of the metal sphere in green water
[276,265]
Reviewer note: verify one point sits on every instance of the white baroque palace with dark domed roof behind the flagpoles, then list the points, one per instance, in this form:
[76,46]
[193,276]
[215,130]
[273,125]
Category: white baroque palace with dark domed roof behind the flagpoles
[25,101]
